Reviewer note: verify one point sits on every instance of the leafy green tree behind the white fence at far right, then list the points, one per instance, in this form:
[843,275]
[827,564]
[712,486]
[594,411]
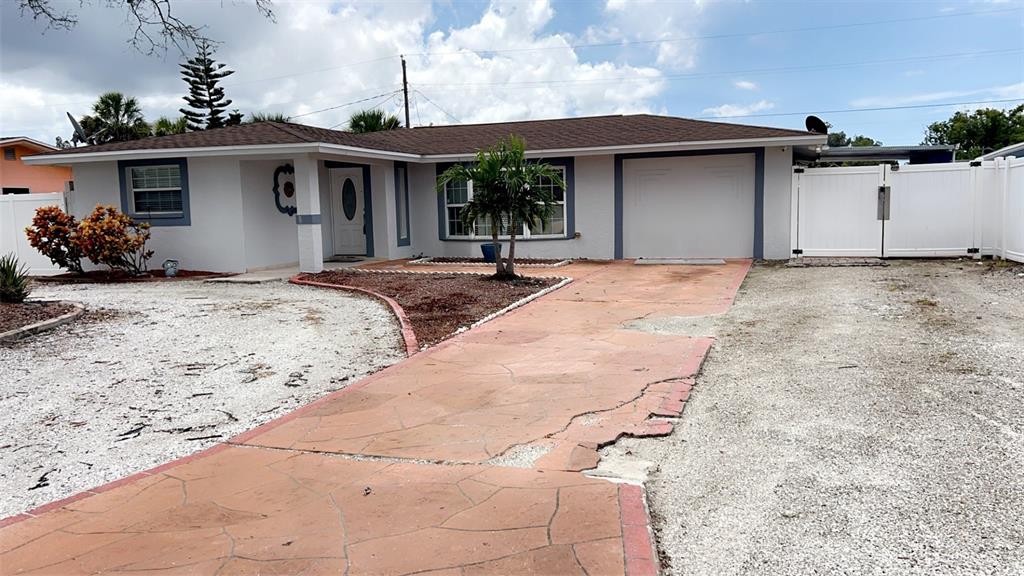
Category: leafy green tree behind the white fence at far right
[978,132]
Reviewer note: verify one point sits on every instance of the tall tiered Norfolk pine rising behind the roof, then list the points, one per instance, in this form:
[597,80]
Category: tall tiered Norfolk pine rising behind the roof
[206,100]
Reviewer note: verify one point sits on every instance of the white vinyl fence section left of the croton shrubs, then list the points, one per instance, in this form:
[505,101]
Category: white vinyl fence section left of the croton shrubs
[17,212]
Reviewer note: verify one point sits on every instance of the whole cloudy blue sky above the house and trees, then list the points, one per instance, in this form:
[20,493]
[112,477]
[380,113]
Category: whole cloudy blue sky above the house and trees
[758,63]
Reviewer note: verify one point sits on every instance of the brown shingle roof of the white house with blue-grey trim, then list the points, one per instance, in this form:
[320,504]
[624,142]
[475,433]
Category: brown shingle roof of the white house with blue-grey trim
[596,132]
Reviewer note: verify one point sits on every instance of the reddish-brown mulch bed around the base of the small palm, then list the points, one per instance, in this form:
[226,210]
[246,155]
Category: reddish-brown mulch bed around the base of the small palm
[438,305]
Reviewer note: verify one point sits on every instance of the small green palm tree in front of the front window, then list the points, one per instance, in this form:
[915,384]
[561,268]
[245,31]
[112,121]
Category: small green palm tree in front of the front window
[505,194]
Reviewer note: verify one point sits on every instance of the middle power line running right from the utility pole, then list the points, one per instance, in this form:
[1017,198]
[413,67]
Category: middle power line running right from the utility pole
[754,71]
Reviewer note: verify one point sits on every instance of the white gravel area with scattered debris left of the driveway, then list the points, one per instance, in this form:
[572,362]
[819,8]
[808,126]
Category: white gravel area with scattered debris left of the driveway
[155,372]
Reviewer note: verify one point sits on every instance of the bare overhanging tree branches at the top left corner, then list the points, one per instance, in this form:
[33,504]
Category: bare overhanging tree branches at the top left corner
[154,23]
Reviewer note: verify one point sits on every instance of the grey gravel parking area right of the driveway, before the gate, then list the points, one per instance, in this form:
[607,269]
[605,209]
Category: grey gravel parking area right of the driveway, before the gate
[855,421]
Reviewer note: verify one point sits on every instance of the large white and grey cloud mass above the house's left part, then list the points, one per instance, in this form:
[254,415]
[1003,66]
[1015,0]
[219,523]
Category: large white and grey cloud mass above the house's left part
[309,61]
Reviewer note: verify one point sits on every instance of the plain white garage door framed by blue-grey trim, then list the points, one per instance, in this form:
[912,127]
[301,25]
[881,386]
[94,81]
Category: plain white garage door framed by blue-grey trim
[689,208]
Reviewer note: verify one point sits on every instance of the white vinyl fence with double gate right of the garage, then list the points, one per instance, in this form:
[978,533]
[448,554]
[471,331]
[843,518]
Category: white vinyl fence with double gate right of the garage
[916,211]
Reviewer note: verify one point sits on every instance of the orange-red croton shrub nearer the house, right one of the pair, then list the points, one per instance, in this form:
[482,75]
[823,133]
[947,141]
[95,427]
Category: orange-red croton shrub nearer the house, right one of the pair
[111,238]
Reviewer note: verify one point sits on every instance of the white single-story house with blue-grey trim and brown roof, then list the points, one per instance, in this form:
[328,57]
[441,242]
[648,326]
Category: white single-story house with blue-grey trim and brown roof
[264,195]
